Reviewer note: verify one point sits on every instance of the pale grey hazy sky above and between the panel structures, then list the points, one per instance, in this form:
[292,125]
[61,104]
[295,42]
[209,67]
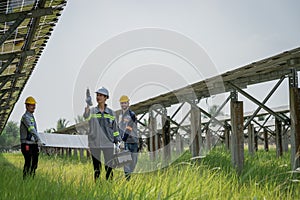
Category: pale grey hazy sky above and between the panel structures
[145,48]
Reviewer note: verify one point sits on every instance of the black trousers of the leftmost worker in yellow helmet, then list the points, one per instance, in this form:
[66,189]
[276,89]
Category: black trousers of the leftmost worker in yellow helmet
[31,156]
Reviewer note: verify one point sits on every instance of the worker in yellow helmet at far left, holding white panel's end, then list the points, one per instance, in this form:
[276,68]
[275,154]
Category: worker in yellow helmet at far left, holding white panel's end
[30,139]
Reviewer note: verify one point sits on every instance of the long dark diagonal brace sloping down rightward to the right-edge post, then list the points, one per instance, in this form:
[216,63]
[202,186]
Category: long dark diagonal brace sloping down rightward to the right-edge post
[248,96]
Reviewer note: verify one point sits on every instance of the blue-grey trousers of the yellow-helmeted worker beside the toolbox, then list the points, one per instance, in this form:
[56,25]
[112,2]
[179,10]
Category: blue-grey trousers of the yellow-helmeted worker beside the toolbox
[129,168]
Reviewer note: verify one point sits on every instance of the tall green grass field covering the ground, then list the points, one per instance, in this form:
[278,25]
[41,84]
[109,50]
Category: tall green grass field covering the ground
[264,177]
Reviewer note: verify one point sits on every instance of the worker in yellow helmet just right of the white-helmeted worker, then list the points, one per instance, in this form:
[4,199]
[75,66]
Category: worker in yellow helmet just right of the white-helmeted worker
[128,132]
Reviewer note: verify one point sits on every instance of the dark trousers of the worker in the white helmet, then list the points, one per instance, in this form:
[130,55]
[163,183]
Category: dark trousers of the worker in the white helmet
[108,161]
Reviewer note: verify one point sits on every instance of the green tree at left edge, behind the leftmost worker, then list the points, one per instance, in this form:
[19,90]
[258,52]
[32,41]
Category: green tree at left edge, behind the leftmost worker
[10,135]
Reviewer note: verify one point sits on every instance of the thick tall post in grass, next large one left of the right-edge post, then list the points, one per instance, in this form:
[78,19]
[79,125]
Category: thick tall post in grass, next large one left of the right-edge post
[237,136]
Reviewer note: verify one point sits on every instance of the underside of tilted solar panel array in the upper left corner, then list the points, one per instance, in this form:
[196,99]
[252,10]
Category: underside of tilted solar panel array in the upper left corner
[25,28]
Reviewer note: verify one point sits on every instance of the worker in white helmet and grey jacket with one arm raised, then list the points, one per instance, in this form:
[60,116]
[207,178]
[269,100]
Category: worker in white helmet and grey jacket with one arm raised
[103,133]
